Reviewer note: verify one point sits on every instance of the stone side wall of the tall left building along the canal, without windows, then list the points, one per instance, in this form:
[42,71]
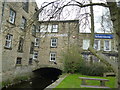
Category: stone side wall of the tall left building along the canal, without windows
[10,70]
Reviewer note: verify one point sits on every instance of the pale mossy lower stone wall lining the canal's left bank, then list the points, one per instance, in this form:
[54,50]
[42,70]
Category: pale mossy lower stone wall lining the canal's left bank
[16,75]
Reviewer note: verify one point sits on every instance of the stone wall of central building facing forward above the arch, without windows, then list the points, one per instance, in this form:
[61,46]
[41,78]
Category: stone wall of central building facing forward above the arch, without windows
[66,36]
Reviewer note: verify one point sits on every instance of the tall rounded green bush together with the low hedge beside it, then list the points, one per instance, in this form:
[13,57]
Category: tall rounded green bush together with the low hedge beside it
[74,63]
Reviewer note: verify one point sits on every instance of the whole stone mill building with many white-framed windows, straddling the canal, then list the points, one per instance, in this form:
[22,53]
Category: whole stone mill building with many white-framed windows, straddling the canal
[26,45]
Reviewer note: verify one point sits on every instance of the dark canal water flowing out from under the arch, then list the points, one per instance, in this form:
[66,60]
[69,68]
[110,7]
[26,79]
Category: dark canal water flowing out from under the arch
[42,78]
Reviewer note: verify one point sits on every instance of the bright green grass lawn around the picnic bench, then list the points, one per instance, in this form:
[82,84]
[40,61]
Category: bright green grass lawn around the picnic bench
[72,81]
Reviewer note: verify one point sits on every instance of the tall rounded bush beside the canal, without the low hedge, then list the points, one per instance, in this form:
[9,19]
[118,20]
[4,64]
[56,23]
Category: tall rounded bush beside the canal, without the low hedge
[72,59]
